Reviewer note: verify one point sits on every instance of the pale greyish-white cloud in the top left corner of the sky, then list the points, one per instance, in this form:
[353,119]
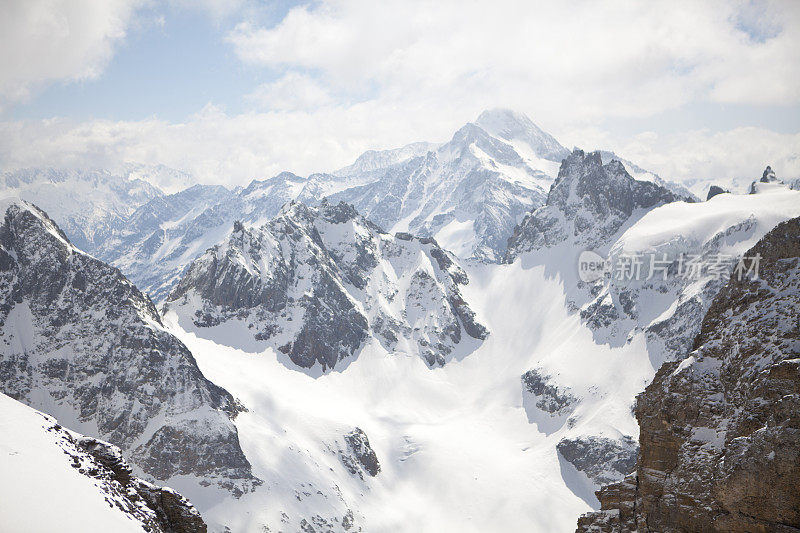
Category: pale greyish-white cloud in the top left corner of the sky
[44,41]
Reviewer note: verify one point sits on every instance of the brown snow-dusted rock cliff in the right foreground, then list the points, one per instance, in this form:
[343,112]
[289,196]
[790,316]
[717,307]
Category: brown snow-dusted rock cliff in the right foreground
[720,430]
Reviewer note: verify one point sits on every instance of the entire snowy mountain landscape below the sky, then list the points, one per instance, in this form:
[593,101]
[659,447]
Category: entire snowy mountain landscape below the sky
[409,343]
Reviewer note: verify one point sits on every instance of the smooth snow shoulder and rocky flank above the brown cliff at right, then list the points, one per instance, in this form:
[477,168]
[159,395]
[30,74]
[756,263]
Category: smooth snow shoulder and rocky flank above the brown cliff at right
[714,235]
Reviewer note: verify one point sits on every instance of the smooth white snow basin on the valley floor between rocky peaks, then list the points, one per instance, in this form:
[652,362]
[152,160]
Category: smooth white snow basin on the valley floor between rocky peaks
[457,448]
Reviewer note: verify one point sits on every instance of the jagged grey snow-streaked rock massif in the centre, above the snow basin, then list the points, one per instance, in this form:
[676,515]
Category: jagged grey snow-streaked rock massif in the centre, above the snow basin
[316,282]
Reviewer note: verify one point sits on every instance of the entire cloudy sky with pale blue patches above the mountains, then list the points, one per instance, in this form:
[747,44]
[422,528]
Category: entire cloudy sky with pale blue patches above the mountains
[232,90]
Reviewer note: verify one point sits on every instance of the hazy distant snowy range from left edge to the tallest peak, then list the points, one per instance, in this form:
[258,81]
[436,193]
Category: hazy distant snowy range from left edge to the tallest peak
[468,193]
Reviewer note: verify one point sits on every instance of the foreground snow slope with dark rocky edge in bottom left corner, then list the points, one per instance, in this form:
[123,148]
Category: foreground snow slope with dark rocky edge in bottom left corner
[54,479]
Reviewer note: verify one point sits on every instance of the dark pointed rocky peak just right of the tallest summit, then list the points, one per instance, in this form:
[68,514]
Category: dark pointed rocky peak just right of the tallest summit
[587,204]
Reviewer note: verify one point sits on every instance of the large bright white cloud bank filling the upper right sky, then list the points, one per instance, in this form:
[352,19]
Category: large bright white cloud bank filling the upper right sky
[568,61]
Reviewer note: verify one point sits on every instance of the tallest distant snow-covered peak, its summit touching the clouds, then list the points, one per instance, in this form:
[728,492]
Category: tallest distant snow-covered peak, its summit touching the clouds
[470,192]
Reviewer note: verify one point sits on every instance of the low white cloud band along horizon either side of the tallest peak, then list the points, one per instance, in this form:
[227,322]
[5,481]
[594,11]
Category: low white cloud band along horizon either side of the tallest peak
[219,148]
